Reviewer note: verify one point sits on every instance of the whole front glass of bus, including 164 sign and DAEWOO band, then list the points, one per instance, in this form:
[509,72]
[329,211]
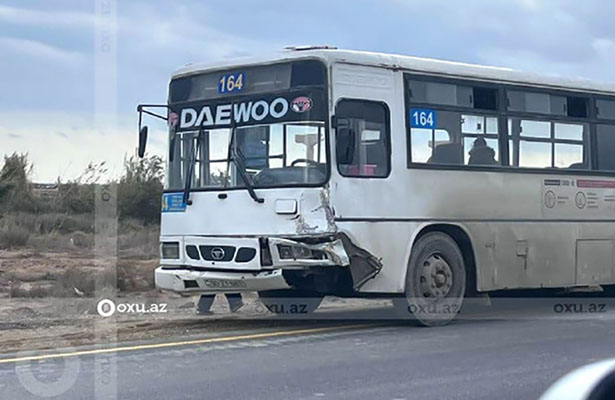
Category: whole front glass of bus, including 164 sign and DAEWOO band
[256,126]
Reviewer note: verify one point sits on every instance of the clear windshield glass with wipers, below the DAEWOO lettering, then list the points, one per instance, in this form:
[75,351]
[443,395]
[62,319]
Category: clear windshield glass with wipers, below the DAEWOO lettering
[273,155]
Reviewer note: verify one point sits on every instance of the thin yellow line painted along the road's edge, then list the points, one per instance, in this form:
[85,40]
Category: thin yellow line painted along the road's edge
[182,343]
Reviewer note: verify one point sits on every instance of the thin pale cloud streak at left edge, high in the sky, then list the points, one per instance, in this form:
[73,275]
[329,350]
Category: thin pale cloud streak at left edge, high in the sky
[37,49]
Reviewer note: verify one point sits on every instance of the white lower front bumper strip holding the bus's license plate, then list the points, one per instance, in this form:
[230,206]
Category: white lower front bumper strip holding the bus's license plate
[190,281]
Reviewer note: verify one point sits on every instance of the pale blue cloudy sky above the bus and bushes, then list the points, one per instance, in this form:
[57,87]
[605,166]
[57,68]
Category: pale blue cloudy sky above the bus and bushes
[72,72]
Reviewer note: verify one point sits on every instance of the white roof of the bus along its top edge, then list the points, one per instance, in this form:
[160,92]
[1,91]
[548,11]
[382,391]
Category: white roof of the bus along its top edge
[413,64]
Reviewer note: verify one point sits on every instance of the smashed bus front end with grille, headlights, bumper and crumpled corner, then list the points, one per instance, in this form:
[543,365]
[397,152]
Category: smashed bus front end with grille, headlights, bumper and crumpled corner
[196,272]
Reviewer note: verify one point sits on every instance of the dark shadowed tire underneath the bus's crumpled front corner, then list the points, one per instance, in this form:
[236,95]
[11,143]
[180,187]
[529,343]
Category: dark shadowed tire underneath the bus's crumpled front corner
[290,302]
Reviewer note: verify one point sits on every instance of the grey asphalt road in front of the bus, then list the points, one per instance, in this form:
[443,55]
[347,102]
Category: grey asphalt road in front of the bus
[507,358]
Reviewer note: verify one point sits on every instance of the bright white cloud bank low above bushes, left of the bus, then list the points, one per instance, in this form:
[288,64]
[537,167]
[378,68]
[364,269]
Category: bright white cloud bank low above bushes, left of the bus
[56,150]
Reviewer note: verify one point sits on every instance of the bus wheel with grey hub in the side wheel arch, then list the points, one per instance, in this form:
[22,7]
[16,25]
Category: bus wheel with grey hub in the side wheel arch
[435,281]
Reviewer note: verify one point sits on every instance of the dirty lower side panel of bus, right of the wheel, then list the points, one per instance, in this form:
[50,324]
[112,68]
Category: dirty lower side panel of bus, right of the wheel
[543,254]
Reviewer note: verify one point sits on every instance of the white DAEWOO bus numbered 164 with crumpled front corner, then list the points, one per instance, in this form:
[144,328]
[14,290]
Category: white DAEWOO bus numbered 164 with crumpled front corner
[330,172]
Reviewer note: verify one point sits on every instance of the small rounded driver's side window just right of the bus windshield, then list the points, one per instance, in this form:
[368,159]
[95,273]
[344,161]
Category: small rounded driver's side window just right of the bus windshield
[363,139]
